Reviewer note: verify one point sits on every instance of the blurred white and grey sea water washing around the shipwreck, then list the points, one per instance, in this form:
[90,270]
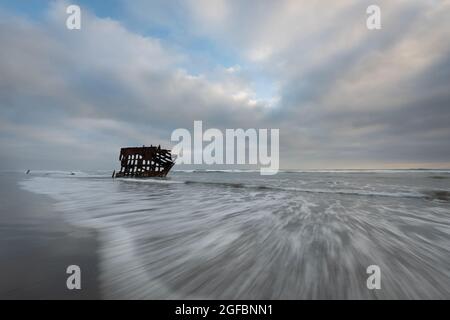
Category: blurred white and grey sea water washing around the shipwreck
[237,234]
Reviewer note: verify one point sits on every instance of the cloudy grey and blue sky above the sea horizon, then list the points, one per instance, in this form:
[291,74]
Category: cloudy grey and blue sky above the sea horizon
[341,95]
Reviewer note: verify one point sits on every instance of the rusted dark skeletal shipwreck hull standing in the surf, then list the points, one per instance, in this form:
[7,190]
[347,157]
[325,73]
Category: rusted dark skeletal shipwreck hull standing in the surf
[144,162]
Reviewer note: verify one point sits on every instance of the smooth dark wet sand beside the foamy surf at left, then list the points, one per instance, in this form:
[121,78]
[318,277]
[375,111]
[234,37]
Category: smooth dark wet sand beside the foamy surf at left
[37,246]
